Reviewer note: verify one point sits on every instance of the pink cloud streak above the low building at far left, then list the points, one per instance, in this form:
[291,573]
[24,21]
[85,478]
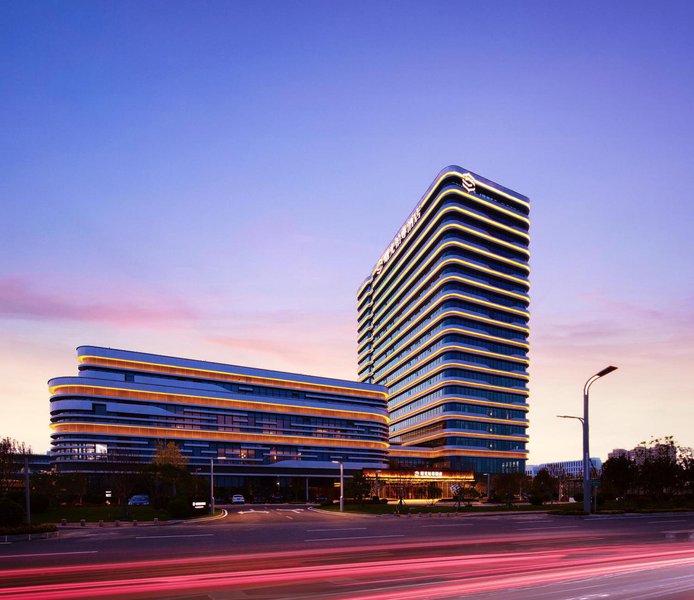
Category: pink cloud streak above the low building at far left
[117,305]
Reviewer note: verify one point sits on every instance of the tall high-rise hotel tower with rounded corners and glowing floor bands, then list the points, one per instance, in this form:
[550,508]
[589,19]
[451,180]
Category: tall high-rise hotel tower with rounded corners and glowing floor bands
[443,322]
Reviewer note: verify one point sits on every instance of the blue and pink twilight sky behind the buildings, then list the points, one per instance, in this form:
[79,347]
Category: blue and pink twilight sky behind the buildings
[214,180]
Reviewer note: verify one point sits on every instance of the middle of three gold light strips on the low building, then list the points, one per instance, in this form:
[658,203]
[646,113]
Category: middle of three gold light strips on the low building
[107,392]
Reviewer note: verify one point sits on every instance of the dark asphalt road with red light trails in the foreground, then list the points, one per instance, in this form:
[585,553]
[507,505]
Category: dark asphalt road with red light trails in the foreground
[286,551]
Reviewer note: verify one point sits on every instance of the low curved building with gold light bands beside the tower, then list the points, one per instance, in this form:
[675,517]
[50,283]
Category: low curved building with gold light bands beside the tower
[121,403]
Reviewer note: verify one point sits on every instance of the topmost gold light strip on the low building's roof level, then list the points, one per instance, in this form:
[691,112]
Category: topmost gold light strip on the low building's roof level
[221,375]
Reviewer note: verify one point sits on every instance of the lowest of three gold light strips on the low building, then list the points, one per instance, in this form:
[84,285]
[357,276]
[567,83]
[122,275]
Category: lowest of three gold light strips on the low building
[165,432]
